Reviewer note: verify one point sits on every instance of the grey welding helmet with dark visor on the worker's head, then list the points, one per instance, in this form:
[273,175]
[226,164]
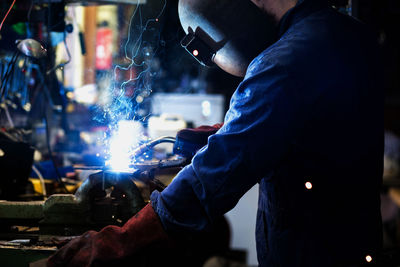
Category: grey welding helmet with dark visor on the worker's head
[228,33]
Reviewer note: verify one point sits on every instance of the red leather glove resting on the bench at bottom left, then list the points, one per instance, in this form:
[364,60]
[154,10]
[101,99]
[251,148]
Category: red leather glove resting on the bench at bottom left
[113,244]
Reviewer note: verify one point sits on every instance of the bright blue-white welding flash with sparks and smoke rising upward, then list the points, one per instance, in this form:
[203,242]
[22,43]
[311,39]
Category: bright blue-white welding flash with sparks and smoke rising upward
[125,134]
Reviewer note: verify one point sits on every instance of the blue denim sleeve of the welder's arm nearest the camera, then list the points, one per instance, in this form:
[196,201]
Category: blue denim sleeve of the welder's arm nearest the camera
[266,112]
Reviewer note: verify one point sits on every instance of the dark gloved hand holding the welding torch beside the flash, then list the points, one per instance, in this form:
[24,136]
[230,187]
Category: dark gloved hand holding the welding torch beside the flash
[189,140]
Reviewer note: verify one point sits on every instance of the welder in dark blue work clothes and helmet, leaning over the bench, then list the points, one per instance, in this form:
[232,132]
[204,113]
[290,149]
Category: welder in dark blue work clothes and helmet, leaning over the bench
[306,124]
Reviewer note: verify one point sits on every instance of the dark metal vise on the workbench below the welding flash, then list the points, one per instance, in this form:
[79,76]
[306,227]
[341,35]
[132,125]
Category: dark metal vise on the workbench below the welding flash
[104,198]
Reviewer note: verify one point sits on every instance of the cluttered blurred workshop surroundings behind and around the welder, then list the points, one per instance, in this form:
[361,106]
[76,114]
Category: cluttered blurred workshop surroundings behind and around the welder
[85,83]
